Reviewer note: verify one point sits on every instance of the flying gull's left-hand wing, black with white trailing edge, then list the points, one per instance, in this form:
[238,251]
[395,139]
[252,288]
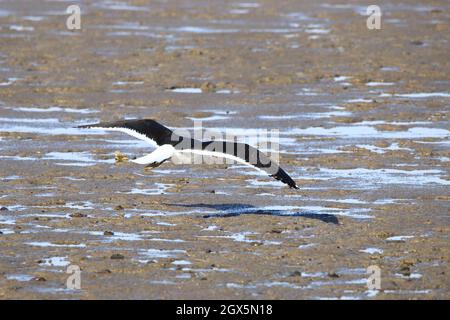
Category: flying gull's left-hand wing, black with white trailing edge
[145,129]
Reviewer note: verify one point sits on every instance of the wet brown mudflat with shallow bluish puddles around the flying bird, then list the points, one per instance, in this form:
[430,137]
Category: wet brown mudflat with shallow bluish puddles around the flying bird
[364,130]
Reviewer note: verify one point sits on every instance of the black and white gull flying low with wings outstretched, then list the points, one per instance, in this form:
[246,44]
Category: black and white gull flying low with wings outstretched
[169,145]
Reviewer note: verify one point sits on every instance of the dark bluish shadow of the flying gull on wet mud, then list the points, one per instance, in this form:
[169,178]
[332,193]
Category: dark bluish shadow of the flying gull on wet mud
[237,209]
